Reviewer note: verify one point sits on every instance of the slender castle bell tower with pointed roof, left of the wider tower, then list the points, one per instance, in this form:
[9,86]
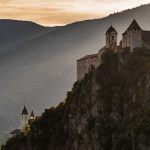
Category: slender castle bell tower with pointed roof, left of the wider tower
[111,39]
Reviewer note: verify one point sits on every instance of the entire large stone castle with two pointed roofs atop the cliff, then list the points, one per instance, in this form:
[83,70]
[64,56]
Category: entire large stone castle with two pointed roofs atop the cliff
[132,38]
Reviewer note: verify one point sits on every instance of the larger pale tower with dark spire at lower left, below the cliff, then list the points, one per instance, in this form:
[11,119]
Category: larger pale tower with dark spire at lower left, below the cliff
[24,118]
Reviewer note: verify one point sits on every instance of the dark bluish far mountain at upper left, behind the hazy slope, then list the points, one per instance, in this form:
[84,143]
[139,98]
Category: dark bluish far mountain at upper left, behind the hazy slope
[13,31]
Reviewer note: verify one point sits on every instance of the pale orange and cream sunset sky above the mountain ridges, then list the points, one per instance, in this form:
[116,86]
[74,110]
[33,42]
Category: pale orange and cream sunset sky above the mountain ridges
[61,12]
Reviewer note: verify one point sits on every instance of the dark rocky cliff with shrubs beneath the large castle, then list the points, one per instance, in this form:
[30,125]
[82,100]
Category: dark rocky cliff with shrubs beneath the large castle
[108,110]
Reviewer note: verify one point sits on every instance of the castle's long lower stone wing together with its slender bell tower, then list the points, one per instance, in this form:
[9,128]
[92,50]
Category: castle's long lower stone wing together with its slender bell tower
[85,63]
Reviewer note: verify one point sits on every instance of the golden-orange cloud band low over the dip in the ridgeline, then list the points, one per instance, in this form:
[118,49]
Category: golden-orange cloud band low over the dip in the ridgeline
[53,16]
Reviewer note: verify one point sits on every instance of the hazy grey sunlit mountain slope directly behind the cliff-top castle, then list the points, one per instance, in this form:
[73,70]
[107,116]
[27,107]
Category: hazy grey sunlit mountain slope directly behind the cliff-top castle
[39,71]
